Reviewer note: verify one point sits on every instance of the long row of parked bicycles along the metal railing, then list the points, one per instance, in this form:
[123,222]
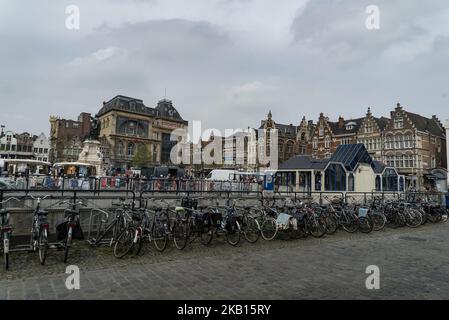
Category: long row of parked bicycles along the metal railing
[156,223]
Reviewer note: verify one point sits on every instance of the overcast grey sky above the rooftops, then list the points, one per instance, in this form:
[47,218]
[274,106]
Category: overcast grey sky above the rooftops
[225,62]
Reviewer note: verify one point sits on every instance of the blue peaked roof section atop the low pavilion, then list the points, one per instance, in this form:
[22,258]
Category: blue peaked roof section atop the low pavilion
[350,155]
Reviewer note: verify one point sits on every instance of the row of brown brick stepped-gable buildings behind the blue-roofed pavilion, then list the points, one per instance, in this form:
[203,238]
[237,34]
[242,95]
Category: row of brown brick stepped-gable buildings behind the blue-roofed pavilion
[411,143]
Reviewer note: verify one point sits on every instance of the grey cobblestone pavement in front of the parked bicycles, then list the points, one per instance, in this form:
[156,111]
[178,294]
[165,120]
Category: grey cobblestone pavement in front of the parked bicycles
[414,264]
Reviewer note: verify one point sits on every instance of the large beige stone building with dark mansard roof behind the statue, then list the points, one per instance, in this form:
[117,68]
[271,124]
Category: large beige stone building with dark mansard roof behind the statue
[126,123]
